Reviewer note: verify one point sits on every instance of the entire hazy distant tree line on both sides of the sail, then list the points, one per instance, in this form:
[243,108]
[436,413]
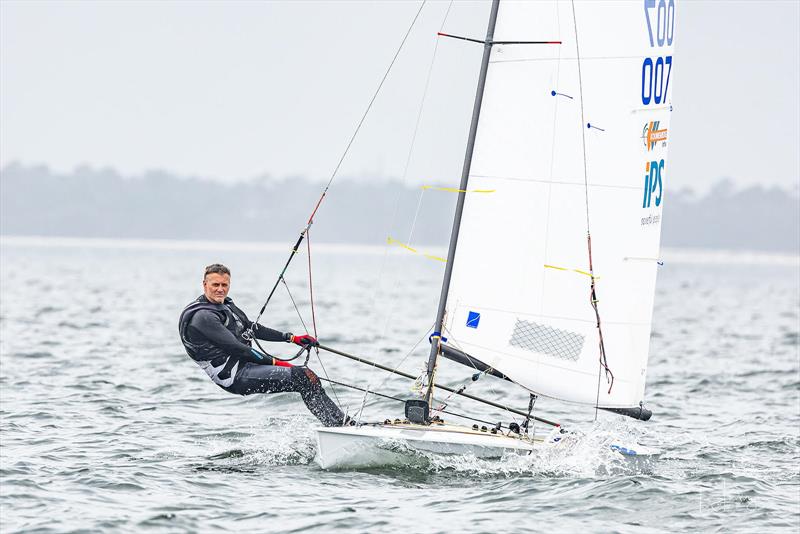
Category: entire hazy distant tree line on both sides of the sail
[100,203]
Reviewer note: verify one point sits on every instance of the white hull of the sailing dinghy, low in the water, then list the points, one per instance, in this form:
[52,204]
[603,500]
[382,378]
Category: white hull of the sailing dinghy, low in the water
[381,445]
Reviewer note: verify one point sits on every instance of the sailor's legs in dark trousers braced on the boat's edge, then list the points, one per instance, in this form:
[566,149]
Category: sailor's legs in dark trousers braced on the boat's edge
[253,378]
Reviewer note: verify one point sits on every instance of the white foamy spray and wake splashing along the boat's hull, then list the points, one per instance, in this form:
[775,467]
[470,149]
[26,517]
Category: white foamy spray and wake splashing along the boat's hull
[584,453]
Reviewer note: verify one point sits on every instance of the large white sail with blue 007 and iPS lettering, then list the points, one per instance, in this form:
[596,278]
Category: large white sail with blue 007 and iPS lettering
[519,299]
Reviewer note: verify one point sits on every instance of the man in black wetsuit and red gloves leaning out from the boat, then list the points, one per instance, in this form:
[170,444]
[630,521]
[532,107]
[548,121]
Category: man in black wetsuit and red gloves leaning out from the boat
[213,331]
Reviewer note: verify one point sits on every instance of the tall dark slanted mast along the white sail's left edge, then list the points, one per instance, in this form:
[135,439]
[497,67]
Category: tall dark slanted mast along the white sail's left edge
[451,252]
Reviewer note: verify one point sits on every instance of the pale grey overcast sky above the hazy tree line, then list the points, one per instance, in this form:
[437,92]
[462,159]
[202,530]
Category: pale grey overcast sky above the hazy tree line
[238,90]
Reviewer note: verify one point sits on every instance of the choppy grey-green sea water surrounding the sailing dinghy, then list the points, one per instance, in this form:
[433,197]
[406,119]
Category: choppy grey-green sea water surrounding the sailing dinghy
[106,425]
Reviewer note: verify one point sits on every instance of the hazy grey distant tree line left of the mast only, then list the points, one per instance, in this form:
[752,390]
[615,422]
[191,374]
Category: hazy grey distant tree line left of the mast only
[100,203]
